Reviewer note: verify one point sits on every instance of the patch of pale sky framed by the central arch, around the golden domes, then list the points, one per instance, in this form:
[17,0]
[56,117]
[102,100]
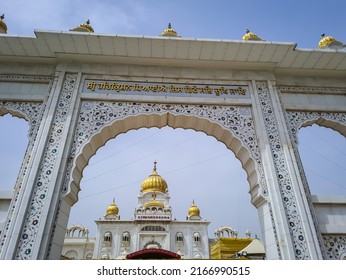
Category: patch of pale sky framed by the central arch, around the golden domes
[196,167]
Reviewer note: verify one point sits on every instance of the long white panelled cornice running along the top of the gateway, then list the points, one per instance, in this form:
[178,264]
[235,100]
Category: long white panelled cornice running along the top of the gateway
[54,46]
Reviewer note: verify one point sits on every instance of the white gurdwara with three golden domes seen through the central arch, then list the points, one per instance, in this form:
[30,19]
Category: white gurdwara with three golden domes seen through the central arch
[152,233]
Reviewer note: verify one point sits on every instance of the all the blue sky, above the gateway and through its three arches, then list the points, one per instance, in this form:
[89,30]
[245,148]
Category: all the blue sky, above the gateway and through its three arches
[194,165]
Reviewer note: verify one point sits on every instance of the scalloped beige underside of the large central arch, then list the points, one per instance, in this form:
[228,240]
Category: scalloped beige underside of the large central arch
[161,120]
